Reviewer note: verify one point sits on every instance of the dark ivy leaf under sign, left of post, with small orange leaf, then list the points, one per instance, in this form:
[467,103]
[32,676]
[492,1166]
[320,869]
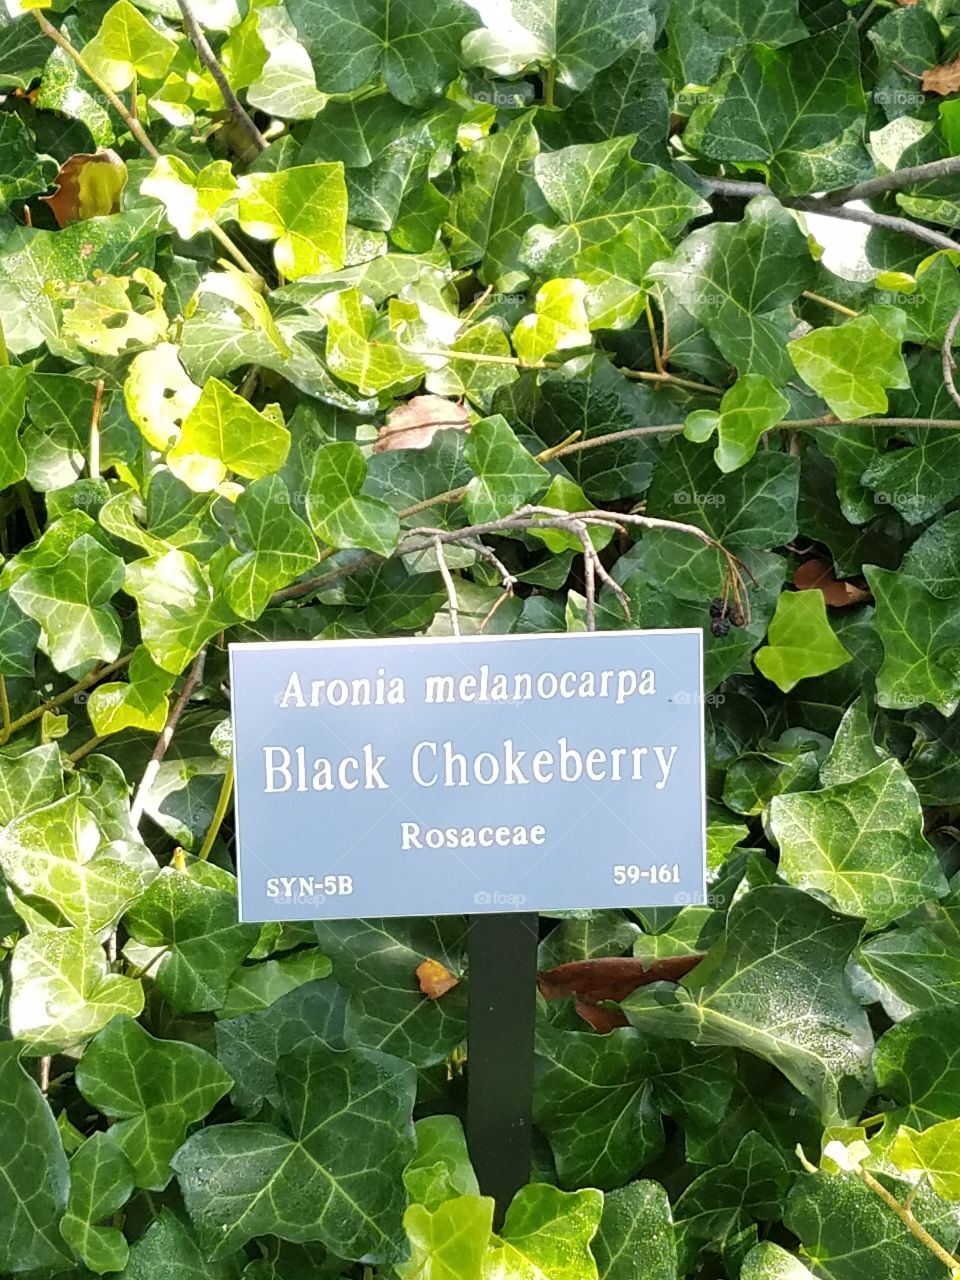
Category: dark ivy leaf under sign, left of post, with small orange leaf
[376,962]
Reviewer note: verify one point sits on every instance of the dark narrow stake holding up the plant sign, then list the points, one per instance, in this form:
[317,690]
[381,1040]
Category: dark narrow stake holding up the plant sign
[501,1017]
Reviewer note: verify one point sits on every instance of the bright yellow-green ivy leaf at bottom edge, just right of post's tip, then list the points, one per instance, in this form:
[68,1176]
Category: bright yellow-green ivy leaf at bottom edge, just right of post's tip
[547,1236]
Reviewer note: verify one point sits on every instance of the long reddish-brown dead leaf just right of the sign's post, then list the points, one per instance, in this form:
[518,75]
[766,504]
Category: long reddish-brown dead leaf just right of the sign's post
[610,979]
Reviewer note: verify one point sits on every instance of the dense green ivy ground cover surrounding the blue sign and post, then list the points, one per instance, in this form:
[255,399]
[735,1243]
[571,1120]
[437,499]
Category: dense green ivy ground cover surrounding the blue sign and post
[341,319]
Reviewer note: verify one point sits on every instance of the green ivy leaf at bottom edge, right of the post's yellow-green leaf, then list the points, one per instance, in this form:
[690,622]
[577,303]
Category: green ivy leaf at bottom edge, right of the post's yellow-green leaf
[637,1235]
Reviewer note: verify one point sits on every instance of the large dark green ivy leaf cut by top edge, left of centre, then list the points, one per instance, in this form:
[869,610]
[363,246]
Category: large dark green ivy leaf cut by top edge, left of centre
[415,49]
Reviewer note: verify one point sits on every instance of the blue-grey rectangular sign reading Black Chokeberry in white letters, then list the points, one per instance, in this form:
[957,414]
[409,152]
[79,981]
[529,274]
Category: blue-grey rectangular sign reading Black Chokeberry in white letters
[487,774]
